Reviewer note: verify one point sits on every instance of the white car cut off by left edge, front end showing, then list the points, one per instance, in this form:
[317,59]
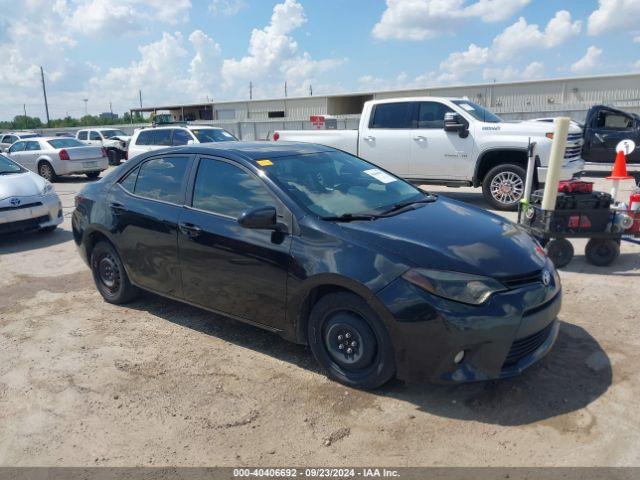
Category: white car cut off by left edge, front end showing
[27,201]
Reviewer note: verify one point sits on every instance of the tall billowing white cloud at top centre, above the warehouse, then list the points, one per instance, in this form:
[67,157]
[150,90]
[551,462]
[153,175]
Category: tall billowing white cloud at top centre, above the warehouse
[273,55]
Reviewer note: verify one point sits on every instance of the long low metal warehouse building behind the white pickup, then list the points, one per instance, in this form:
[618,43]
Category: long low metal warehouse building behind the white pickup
[254,119]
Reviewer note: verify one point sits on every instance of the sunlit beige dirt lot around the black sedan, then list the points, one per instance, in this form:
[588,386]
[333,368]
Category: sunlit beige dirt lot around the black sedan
[160,383]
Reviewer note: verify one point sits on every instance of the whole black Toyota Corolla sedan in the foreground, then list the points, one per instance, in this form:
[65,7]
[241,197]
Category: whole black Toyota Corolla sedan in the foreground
[325,249]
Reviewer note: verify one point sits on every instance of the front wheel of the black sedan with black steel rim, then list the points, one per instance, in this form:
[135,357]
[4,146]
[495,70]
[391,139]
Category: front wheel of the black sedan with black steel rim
[350,342]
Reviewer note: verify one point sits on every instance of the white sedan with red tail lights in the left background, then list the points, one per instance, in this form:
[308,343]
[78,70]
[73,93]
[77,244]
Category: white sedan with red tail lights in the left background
[52,157]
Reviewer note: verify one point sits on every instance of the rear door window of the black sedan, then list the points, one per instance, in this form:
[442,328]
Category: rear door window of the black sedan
[162,179]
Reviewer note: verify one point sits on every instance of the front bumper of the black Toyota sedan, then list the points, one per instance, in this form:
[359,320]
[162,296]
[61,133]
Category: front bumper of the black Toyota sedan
[501,338]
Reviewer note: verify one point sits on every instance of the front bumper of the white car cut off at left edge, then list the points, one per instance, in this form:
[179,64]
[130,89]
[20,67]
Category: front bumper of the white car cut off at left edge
[33,213]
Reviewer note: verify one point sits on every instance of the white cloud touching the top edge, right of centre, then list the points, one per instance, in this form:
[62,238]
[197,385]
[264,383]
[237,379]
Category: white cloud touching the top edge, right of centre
[423,19]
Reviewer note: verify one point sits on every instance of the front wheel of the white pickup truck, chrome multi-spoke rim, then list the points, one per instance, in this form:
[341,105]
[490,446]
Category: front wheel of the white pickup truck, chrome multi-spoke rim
[503,186]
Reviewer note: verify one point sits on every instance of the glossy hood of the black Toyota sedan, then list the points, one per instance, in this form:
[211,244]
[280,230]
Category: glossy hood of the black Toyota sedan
[450,235]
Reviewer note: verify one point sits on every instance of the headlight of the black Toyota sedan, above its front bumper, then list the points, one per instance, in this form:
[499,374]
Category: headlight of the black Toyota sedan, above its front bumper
[461,287]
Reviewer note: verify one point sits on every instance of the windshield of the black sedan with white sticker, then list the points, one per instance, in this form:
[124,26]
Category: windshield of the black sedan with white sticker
[335,184]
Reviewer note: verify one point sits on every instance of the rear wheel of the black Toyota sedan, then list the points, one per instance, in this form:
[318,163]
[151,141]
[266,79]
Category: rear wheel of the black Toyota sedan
[109,275]
